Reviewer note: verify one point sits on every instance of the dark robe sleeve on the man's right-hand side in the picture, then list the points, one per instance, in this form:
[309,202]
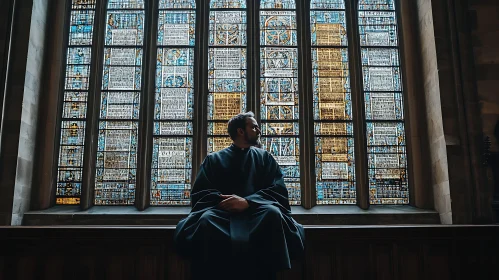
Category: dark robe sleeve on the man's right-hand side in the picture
[274,191]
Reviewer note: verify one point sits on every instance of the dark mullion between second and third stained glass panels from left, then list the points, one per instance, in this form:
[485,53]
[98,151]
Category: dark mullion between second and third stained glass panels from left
[145,143]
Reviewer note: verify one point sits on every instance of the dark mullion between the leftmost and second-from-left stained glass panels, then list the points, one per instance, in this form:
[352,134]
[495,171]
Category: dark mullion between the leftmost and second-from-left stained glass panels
[93,112]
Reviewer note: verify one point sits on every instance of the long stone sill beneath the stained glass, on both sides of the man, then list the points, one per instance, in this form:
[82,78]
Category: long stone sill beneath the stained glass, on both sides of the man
[319,215]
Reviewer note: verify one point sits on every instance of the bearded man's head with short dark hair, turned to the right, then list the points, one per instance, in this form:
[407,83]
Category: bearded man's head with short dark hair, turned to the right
[243,129]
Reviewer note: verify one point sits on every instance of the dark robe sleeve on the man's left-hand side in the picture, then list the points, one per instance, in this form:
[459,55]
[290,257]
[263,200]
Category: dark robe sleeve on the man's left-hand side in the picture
[204,194]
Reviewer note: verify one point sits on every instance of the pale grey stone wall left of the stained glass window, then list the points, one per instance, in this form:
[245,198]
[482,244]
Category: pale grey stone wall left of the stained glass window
[24,86]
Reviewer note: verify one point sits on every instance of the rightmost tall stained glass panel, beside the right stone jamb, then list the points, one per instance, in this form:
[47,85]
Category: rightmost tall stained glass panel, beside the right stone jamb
[386,143]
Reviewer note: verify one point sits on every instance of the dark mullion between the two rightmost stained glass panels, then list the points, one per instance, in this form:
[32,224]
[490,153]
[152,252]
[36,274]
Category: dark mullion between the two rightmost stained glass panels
[358,105]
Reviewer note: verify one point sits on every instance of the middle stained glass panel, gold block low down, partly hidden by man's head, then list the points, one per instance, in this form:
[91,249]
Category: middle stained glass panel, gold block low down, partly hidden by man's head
[226,69]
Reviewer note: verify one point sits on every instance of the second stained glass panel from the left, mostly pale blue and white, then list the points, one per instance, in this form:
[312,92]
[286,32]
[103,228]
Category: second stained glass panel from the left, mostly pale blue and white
[120,103]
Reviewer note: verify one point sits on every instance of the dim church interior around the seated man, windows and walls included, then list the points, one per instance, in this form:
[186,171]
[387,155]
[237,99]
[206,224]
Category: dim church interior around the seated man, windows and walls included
[380,113]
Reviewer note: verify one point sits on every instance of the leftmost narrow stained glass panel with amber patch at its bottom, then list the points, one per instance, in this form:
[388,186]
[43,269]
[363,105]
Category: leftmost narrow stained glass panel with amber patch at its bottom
[74,113]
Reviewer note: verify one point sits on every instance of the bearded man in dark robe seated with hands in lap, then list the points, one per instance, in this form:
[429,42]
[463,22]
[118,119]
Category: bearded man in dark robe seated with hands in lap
[240,225]
